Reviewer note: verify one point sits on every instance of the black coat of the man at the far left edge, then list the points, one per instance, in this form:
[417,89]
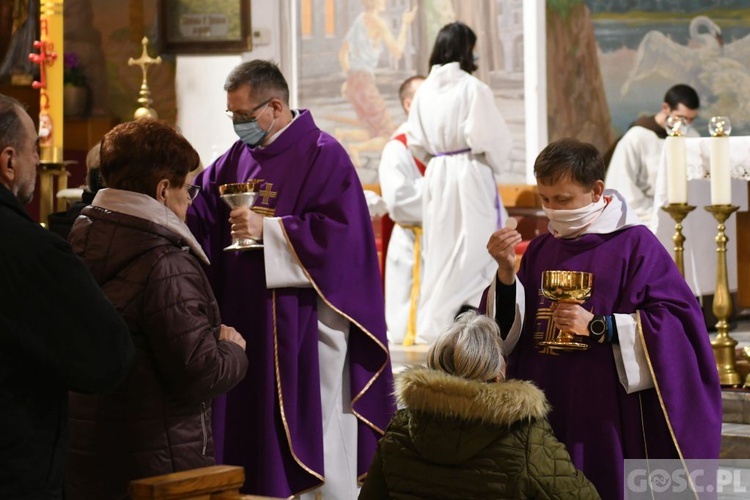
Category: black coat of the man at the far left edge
[58,332]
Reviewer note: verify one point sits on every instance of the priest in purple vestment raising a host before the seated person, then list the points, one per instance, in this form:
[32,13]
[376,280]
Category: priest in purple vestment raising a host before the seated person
[647,386]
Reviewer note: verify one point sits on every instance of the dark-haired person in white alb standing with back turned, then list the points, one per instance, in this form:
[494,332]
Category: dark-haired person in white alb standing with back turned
[457,130]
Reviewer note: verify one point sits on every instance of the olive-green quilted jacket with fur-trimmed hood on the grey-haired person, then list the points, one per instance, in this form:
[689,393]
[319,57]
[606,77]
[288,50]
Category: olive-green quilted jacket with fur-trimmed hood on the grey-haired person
[461,439]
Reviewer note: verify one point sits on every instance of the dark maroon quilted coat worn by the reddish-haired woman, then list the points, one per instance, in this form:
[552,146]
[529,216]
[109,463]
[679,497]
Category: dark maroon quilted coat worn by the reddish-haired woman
[159,420]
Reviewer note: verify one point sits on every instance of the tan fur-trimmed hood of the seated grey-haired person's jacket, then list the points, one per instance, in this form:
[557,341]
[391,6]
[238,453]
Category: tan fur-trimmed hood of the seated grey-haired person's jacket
[452,419]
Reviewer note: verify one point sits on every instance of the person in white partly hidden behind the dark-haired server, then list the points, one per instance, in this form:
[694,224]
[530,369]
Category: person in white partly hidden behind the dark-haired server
[401,180]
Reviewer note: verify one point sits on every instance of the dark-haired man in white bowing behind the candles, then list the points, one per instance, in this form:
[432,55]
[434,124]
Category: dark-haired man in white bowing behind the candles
[637,155]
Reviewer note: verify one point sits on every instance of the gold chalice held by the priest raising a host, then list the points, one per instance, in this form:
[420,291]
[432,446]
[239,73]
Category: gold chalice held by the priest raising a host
[566,286]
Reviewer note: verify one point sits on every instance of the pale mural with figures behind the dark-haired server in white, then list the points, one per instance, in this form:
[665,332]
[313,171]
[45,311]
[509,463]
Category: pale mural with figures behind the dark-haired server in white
[354,54]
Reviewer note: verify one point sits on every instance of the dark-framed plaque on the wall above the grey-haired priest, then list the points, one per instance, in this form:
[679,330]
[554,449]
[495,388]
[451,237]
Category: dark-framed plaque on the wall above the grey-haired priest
[204,26]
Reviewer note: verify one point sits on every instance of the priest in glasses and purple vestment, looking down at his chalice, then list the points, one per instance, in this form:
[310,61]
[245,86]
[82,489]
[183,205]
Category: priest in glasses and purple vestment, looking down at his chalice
[317,395]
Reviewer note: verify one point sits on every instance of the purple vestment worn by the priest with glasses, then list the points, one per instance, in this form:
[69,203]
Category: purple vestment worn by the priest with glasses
[271,423]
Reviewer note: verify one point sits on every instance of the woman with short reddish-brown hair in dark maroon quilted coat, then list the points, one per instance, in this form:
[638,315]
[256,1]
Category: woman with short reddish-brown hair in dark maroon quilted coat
[142,254]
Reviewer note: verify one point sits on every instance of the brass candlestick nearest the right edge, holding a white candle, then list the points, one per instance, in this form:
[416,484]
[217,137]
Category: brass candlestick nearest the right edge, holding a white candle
[723,345]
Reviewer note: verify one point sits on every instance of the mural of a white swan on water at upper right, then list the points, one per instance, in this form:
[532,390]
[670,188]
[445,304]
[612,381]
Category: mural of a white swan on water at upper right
[646,47]
